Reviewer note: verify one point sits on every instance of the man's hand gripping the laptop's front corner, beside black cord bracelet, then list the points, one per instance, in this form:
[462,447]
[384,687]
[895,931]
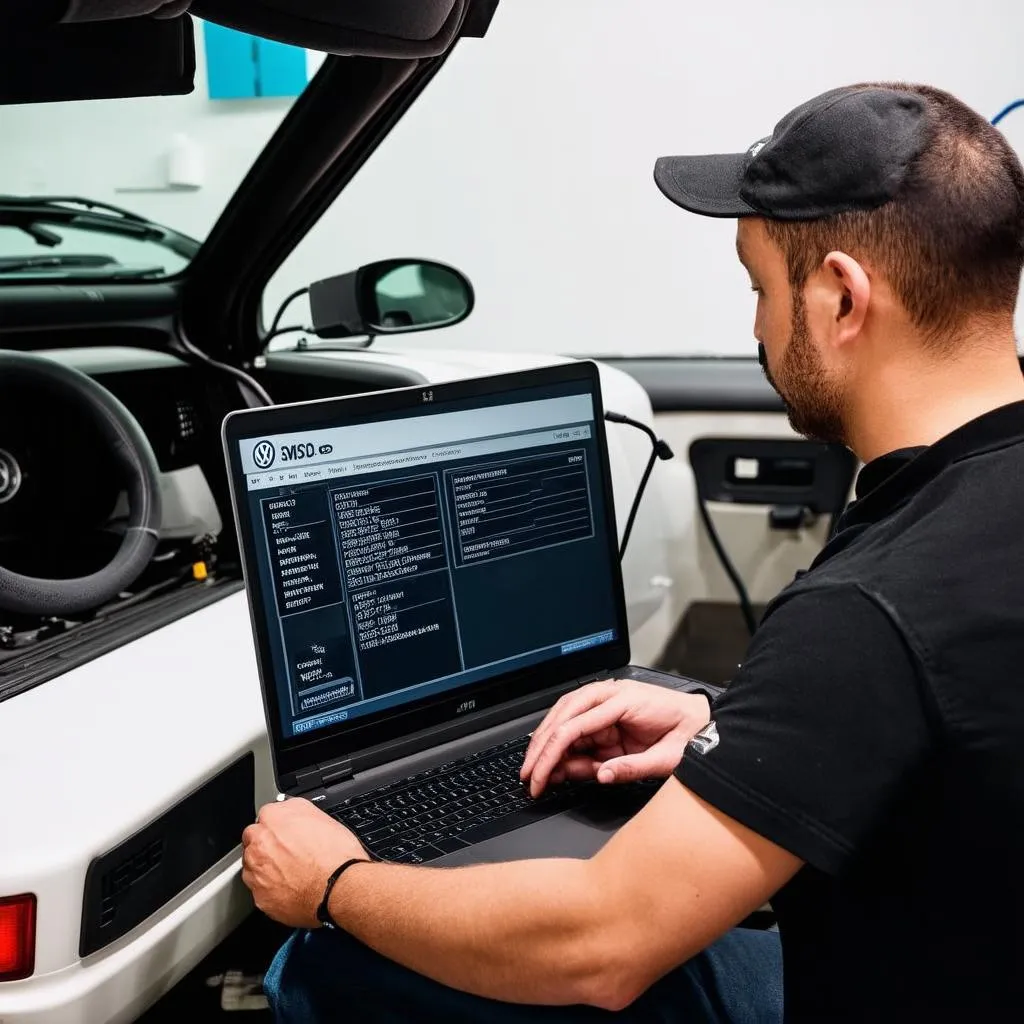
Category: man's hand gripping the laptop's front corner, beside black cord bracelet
[289,856]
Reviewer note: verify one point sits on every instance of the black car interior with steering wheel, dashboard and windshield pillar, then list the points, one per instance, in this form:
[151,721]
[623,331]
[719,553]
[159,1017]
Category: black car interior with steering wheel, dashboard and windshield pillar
[147,541]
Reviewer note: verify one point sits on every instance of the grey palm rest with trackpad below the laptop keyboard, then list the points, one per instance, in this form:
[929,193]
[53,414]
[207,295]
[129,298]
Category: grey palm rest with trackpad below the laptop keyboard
[580,833]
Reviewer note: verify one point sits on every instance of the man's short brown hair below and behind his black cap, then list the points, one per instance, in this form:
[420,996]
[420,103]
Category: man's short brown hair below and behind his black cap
[952,243]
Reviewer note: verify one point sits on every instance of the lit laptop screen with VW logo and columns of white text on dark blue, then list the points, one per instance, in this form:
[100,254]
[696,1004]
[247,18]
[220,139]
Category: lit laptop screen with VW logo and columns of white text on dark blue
[426,550]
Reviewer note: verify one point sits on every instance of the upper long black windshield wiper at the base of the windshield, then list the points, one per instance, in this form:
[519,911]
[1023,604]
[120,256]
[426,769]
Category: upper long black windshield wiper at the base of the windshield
[28,212]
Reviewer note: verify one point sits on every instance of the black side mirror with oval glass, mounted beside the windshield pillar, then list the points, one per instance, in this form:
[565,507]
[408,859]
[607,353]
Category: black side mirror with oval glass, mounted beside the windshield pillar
[396,296]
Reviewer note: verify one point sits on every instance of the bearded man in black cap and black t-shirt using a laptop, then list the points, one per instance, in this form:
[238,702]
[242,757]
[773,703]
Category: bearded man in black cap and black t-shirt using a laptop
[866,769]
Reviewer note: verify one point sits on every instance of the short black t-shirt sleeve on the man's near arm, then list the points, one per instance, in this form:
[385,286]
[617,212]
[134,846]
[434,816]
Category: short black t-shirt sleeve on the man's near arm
[821,733]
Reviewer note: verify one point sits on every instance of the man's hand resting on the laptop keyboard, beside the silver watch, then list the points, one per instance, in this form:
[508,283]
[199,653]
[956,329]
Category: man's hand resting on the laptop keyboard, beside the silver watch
[615,733]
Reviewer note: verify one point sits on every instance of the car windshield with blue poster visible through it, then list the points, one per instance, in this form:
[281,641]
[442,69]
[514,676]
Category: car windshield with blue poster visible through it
[130,189]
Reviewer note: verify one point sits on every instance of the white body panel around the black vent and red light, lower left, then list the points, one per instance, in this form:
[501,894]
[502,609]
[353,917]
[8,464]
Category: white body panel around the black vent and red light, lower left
[127,737]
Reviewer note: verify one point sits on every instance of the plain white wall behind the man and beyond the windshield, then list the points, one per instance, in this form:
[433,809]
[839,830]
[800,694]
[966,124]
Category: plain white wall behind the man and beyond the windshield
[528,162]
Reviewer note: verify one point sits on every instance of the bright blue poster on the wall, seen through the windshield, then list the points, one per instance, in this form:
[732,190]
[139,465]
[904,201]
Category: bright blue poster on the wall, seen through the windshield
[244,67]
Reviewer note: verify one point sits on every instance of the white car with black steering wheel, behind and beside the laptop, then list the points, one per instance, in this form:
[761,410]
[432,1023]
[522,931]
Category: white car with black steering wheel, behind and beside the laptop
[134,746]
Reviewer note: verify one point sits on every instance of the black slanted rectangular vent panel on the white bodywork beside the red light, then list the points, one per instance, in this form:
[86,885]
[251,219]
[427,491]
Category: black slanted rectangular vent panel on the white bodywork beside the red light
[136,879]
